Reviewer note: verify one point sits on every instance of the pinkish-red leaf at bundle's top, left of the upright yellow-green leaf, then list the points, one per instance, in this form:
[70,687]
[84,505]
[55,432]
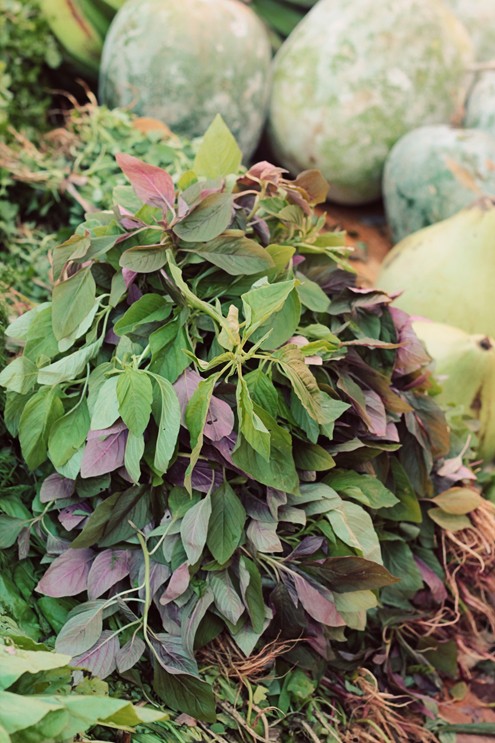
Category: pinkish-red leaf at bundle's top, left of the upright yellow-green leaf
[152,185]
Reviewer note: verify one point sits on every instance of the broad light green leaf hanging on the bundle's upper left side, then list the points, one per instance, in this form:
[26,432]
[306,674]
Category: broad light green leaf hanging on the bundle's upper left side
[73,299]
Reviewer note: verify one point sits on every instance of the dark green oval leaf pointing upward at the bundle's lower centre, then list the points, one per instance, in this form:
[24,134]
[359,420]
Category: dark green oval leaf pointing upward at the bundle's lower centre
[226,523]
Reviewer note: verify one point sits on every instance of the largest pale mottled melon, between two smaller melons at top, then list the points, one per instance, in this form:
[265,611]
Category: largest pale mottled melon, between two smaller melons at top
[354,77]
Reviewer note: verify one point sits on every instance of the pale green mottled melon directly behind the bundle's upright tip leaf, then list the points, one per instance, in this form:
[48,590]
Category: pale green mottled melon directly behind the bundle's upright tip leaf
[184,61]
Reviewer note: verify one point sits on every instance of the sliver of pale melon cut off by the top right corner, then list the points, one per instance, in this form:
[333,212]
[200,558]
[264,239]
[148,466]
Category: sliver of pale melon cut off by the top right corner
[478,16]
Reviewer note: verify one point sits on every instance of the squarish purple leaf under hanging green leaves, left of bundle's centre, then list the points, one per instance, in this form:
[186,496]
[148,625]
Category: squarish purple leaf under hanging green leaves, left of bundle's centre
[104,451]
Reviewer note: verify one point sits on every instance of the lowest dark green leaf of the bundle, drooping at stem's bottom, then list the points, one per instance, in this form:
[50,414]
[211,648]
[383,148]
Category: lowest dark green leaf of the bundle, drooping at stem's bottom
[185,694]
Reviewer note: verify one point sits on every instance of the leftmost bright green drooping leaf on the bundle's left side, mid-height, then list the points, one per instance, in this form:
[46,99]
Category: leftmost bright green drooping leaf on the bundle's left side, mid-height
[38,416]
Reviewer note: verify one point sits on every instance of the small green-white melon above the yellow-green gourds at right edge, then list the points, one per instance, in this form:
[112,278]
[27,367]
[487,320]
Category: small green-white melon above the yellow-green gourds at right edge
[434,172]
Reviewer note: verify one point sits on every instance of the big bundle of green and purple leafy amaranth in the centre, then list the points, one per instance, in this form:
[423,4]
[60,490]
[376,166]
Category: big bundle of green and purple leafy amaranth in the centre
[225,426]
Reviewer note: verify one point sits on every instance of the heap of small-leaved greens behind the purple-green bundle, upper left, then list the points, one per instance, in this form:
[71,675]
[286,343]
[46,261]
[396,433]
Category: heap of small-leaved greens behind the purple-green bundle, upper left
[46,186]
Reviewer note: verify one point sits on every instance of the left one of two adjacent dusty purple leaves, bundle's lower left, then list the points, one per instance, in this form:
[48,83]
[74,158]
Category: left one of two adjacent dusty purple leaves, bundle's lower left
[68,574]
